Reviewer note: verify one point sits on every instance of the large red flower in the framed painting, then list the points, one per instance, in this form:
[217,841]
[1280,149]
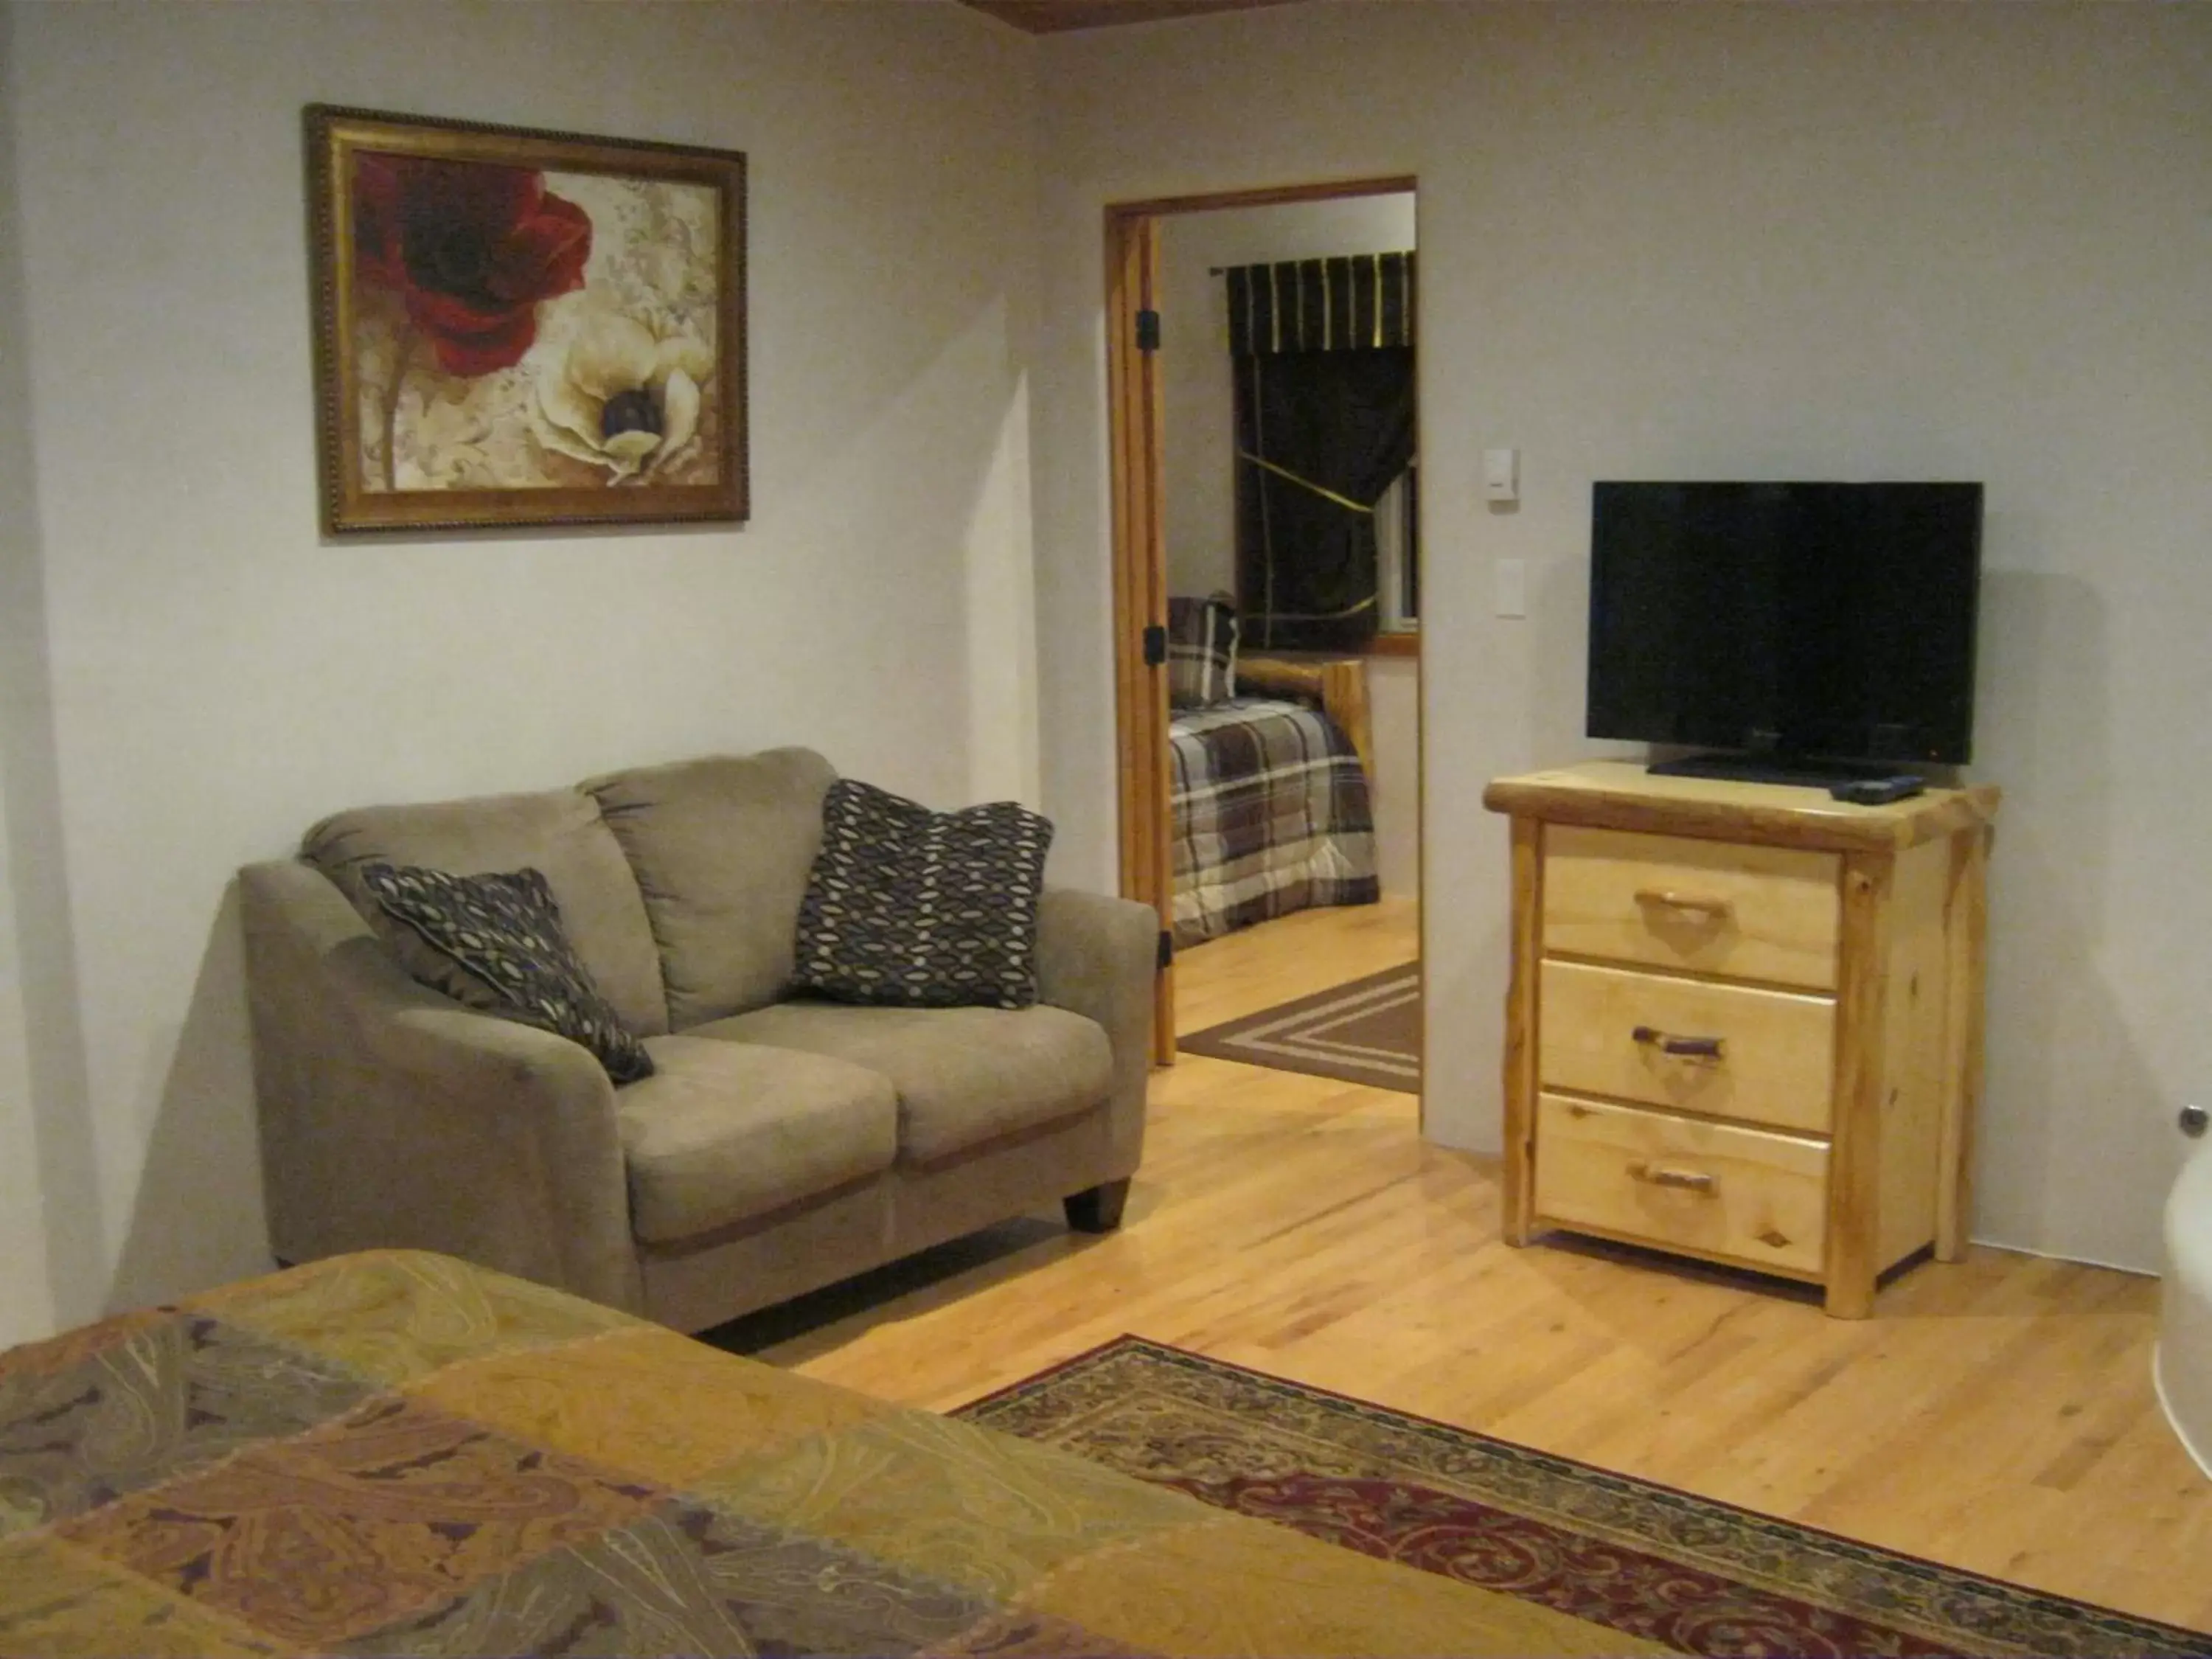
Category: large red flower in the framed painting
[470,249]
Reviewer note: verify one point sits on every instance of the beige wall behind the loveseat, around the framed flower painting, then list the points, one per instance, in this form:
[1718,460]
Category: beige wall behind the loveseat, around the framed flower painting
[205,676]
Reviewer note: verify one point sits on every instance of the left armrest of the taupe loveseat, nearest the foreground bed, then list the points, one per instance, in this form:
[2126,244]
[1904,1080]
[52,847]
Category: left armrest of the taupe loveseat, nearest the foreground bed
[393,1116]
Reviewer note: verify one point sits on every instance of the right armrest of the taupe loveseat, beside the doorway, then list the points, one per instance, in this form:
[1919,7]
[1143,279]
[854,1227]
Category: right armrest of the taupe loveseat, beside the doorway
[1098,957]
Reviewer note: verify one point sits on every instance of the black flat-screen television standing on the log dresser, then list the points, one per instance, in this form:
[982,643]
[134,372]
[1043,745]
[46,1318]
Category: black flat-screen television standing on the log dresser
[1804,627]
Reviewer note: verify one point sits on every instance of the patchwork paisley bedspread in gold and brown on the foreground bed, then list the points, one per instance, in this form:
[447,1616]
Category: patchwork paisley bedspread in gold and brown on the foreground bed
[399,1454]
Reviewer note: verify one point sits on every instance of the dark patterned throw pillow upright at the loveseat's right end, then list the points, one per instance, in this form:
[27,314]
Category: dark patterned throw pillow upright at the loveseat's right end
[924,910]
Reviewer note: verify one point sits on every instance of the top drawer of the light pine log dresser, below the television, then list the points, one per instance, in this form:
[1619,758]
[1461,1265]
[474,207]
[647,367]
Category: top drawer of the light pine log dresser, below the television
[1704,906]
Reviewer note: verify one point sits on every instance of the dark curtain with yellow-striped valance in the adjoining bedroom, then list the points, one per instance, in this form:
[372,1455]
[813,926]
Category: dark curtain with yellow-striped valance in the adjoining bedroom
[1324,426]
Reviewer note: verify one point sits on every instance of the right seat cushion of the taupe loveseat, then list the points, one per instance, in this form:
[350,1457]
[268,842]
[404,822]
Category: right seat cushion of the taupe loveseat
[963,1076]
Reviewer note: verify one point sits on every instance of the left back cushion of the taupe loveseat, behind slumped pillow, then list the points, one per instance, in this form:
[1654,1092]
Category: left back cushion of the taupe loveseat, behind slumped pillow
[556,833]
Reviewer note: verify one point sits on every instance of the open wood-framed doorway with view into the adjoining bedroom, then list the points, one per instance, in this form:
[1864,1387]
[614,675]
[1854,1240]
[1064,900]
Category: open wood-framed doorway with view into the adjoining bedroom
[1269,530]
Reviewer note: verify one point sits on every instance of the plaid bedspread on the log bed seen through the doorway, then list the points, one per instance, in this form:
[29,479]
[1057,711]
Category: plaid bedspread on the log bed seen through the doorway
[1271,815]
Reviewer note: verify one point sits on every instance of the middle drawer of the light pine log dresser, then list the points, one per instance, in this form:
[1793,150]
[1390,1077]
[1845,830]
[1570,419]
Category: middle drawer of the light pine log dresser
[1640,1036]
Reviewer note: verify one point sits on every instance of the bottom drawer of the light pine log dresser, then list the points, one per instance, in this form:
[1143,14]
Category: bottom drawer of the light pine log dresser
[1678,1182]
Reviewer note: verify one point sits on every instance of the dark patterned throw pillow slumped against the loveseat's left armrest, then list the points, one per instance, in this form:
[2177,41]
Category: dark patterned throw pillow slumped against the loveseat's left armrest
[508,954]
